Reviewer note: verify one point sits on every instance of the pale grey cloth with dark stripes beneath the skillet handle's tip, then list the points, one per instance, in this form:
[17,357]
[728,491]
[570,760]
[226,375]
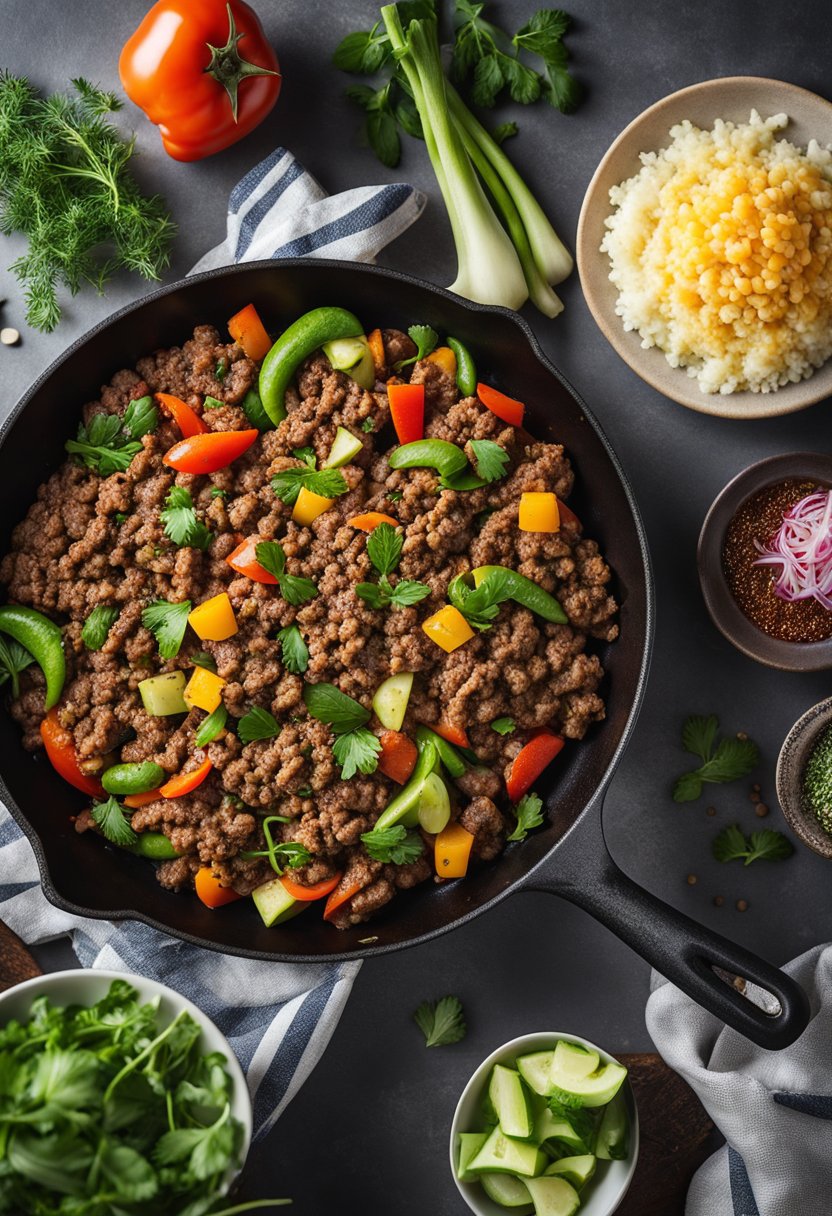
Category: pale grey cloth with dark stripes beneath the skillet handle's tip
[774,1108]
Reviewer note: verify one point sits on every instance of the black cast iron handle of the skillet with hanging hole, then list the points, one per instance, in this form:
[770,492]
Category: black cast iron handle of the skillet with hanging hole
[681,949]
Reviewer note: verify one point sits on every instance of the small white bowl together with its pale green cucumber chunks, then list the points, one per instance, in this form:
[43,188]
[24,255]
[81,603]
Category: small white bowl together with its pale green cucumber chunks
[547,1127]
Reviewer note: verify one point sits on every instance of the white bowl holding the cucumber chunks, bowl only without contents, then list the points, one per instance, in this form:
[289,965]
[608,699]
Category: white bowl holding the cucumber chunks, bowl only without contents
[605,1192]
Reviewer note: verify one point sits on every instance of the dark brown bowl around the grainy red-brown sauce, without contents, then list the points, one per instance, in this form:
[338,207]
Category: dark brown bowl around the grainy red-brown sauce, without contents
[726,612]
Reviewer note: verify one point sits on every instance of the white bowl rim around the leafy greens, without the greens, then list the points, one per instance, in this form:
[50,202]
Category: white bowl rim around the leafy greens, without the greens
[88,987]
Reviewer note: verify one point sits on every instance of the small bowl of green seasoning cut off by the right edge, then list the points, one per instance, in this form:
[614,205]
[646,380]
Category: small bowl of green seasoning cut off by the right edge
[805,779]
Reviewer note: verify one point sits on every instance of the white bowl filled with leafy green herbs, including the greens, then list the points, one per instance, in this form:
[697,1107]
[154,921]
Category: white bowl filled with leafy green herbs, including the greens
[147,1100]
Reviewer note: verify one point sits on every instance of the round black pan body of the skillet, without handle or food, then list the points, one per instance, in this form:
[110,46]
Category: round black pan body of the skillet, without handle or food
[91,879]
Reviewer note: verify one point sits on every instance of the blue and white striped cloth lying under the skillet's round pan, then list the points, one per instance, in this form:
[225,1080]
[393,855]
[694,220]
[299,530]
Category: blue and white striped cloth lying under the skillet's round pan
[278,1017]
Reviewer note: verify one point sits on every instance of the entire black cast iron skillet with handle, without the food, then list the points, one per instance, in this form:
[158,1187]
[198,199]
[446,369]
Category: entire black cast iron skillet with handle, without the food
[570,858]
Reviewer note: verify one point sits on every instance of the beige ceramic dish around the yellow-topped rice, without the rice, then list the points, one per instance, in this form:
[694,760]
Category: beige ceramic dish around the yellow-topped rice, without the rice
[732,99]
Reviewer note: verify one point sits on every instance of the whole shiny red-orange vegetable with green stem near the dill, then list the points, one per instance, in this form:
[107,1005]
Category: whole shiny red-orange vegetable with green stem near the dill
[185,69]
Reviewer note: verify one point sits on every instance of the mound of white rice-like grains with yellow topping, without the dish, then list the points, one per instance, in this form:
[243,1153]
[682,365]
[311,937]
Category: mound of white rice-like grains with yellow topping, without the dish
[721,249]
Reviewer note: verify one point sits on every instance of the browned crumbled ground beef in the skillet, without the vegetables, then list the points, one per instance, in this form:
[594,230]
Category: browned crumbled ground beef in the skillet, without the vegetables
[91,541]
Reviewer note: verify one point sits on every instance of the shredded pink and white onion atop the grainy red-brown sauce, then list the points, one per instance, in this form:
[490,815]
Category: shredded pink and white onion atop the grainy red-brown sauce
[803,550]
